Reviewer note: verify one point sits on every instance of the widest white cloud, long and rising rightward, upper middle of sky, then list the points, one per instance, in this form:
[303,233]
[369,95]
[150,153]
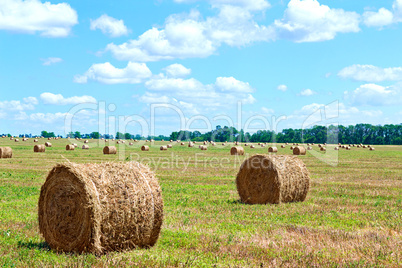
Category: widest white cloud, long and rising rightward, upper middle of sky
[191,36]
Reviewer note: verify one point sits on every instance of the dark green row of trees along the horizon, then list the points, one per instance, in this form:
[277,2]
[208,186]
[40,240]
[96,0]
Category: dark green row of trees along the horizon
[360,133]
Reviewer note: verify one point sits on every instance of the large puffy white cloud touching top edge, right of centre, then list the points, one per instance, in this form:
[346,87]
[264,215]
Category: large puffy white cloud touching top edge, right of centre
[309,21]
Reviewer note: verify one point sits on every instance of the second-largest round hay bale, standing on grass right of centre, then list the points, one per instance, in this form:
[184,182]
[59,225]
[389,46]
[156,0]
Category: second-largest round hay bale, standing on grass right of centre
[272,179]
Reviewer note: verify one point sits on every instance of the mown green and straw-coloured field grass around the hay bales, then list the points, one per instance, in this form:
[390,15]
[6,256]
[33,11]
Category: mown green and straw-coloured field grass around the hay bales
[352,216]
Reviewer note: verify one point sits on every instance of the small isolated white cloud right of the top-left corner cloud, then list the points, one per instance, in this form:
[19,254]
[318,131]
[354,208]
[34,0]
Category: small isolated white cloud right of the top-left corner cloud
[109,26]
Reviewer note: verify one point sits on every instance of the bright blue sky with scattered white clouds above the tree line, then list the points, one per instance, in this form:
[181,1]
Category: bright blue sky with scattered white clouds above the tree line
[153,67]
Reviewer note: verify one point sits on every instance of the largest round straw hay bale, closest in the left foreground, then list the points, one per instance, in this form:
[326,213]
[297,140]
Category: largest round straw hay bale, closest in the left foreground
[99,208]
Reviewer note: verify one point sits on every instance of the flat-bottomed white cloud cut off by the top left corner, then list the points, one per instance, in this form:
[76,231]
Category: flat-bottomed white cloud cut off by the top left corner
[51,20]
